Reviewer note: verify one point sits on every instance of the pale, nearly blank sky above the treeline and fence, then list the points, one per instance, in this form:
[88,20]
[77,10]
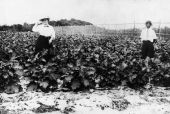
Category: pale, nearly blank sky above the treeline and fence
[94,11]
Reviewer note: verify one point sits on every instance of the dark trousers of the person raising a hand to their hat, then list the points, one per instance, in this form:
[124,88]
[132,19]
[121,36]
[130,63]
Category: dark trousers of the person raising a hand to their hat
[41,44]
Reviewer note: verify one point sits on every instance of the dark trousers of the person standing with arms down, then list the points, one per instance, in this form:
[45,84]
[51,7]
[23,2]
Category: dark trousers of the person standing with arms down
[147,49]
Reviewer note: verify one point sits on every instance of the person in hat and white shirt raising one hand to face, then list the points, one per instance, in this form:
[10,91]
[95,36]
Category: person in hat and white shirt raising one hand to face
[47,35]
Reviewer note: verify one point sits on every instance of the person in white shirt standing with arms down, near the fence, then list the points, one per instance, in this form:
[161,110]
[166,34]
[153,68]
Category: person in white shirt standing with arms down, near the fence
[148,37]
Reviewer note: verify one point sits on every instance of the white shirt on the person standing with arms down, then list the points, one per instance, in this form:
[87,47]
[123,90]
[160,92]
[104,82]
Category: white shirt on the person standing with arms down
[148,34]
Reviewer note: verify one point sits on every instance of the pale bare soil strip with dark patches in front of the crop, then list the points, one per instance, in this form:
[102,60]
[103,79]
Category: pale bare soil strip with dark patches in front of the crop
[121,100]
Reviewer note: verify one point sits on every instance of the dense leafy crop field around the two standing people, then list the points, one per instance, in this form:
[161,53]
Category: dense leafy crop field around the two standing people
[80,63]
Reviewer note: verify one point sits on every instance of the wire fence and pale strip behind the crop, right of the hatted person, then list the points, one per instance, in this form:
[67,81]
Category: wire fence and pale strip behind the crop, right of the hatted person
[162,29]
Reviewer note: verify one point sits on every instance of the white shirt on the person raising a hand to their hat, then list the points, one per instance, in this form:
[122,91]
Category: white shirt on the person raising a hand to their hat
[44,30]
